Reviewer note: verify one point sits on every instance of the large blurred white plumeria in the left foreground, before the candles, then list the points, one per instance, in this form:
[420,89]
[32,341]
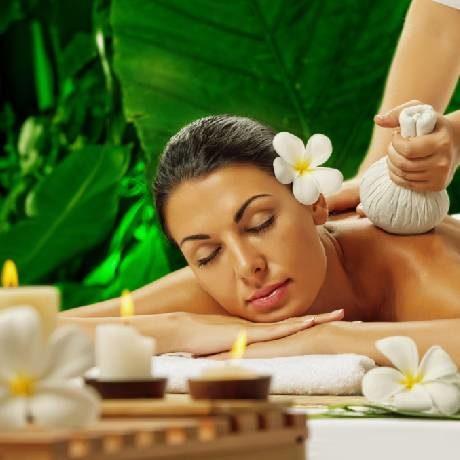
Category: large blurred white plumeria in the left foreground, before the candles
[38,379]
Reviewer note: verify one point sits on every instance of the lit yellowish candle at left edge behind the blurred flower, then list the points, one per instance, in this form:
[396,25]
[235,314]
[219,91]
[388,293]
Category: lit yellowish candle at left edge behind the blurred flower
[45,299]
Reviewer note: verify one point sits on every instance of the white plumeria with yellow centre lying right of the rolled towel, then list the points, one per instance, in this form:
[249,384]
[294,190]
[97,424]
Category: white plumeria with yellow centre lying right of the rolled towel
[431,386]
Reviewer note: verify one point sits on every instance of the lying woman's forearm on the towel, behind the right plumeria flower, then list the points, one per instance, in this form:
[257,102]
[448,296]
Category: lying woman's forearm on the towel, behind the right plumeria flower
[352,337]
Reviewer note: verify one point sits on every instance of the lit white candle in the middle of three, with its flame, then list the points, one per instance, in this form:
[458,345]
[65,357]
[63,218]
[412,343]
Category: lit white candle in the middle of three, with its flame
[121,351]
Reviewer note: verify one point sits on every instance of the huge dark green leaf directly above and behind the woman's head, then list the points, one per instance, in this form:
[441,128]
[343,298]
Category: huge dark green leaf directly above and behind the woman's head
[302,66]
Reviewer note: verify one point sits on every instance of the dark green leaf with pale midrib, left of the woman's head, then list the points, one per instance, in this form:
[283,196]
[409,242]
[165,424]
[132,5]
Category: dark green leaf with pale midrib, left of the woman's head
[70,211]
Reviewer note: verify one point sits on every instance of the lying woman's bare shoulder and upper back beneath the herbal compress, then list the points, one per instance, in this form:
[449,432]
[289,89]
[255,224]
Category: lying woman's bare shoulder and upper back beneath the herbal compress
[418,275]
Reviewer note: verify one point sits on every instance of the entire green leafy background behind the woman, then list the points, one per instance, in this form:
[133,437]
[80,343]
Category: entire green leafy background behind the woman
[74,206]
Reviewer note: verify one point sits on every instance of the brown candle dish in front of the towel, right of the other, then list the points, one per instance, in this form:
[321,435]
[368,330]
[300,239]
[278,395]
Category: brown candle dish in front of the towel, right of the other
[250,388]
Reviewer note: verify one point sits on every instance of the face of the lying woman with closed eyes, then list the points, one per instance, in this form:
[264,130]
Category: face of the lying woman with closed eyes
[241,231]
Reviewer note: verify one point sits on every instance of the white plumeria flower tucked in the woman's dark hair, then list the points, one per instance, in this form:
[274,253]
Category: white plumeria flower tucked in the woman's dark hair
[300,164]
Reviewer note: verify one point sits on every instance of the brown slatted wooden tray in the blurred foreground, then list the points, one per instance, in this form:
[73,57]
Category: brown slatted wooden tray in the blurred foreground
[224,430]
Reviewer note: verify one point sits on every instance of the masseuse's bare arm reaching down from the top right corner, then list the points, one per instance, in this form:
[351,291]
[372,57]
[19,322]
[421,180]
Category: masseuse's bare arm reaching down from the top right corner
[426,66]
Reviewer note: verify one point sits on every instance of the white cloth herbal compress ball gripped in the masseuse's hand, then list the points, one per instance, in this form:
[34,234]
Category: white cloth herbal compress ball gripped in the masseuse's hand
[396,209]
